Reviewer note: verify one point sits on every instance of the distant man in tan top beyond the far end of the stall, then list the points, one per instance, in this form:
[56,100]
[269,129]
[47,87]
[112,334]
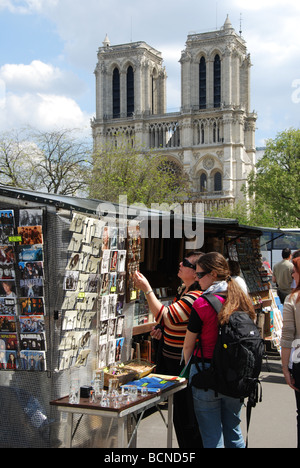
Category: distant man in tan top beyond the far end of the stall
[282,275]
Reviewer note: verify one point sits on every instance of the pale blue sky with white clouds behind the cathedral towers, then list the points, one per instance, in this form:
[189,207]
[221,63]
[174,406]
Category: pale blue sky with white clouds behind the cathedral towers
[49,51]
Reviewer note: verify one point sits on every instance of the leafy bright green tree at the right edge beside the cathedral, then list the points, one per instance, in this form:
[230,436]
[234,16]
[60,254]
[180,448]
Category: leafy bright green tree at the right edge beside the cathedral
[276,181]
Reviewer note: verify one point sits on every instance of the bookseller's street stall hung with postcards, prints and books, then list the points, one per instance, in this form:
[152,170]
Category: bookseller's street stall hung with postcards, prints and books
[69,305]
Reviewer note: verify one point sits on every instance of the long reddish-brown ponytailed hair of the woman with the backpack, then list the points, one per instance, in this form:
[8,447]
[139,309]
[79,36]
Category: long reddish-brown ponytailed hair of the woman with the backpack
[236,298]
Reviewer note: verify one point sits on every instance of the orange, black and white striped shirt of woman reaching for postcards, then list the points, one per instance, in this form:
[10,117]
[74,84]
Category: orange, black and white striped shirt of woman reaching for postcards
[175,319]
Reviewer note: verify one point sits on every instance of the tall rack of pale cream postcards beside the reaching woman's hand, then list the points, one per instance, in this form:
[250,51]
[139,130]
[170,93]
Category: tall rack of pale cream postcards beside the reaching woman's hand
[98,282]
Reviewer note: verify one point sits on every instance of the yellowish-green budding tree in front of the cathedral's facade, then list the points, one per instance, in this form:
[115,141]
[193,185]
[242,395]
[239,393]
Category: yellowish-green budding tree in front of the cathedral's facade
[143,176]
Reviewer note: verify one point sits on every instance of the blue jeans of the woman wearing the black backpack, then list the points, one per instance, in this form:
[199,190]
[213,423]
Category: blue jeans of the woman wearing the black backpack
[218,417]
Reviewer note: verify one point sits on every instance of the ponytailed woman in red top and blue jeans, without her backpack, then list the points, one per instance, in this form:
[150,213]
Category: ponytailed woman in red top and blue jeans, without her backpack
[218,415]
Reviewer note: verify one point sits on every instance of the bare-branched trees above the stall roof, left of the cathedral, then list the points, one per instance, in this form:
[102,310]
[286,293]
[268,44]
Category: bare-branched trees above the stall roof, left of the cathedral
[54,162]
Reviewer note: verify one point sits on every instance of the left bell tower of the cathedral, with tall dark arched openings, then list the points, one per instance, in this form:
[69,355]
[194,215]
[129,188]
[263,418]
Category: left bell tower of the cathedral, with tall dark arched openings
[130,82]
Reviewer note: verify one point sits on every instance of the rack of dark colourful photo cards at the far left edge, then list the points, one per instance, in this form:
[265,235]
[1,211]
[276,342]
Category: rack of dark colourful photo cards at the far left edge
[22,312]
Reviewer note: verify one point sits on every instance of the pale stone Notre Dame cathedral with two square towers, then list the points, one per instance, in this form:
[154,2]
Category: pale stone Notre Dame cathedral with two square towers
[212,138]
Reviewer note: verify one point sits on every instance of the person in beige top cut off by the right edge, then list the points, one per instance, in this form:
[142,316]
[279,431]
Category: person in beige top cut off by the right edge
[290,339]
